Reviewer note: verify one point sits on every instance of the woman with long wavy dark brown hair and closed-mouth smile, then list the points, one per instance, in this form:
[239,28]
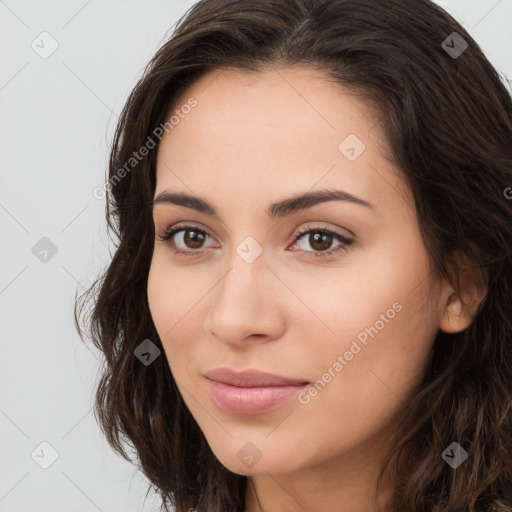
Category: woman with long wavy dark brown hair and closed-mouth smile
[309,307]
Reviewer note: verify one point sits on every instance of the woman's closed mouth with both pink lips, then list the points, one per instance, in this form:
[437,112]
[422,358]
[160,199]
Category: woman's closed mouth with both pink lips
[250,392]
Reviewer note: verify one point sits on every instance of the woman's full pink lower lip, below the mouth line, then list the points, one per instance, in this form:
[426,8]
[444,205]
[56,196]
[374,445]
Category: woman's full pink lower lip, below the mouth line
[237,400]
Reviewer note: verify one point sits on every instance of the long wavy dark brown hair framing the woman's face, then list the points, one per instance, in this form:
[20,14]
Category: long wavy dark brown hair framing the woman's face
[447,116]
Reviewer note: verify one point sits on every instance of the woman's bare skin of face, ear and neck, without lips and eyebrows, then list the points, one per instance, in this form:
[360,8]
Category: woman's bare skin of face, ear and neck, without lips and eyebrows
[250,141]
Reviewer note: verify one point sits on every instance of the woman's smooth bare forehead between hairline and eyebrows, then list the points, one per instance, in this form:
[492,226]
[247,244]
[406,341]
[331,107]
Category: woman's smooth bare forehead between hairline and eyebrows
[271,131]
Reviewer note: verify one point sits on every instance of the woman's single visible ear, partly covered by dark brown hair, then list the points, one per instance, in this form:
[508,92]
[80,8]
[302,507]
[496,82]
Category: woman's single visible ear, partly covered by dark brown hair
[458,312]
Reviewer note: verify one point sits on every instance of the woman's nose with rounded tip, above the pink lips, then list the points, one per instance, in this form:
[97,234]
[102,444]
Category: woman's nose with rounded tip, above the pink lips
[246,305]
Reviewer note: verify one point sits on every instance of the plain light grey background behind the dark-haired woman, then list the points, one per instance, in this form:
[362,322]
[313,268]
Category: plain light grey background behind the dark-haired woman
[57,120]
